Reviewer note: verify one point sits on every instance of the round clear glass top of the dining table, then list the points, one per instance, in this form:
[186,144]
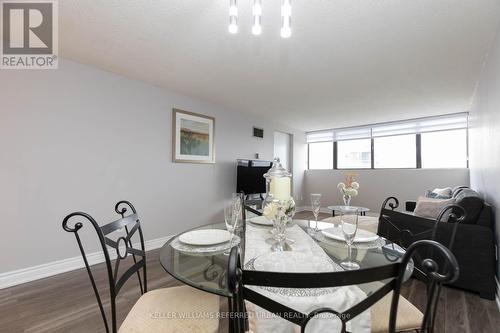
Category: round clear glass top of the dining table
[207,271]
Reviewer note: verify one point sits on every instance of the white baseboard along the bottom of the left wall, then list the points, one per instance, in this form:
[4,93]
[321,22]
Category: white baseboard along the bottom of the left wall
[13,278]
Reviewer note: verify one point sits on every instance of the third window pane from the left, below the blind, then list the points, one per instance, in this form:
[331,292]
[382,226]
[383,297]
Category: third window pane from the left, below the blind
[396,151]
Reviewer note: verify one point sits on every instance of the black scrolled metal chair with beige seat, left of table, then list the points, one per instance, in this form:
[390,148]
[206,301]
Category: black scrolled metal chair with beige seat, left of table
[156,310]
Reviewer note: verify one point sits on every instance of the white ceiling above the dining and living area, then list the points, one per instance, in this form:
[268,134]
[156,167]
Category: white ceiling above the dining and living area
[348,62]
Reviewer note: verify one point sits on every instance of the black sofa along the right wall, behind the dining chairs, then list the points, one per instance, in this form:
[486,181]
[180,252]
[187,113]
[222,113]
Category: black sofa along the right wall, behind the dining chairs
[474,245]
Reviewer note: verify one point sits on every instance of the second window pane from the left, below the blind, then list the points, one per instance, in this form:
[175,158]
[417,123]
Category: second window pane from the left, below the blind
[354,154]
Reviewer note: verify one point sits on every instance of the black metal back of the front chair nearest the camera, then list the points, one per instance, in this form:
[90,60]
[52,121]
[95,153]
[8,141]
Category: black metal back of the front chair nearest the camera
[239,280]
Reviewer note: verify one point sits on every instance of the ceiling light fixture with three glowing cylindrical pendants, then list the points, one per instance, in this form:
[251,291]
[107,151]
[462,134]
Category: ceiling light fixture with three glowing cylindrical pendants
[286,18]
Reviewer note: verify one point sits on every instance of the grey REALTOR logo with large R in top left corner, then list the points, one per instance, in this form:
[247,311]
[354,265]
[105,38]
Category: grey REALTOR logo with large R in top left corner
[29,34]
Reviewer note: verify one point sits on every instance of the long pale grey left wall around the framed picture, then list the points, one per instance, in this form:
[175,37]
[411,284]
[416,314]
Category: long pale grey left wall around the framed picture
[80,139]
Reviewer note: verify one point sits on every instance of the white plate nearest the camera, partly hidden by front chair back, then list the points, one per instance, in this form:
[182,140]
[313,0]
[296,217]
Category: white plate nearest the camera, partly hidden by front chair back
[292,262]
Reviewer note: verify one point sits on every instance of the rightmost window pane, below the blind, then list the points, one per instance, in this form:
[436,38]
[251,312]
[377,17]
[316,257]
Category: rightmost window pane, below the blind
[445,149]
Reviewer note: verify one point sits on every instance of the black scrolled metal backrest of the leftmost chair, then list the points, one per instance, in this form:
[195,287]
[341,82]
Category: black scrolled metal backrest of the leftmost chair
[124,229]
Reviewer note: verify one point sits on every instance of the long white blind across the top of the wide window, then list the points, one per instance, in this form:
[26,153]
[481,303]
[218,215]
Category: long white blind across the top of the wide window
[414,126]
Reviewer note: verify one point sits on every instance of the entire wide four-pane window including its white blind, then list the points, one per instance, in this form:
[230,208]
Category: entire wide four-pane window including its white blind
[432,142]
